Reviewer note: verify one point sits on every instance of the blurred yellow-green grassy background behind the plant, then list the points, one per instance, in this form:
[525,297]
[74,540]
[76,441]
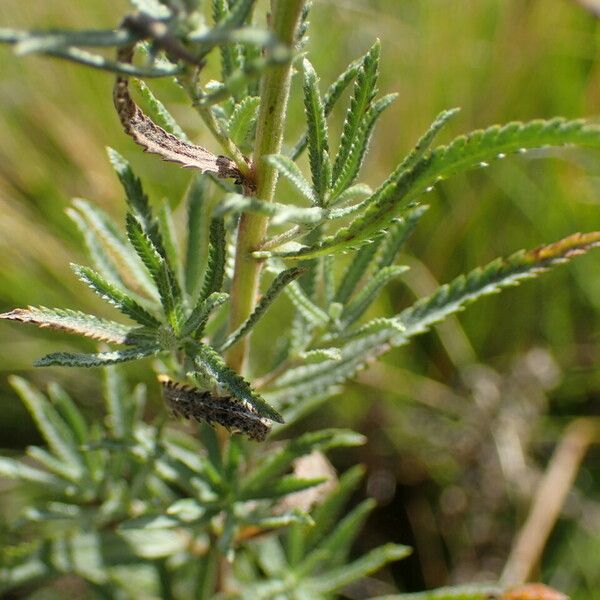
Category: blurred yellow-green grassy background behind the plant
[442,457]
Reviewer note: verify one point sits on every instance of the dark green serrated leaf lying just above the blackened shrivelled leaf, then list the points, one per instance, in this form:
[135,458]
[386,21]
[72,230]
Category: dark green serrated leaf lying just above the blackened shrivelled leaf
[212,364]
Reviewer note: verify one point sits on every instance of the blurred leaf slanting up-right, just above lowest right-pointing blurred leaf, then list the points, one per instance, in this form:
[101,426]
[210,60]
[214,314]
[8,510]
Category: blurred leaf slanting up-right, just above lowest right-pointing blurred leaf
[333,550]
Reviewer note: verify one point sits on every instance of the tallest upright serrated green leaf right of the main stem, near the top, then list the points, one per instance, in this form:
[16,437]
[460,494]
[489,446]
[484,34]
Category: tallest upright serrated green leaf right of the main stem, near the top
[365,89]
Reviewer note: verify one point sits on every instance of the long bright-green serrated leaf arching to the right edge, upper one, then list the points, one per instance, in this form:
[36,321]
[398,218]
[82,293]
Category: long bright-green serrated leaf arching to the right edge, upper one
[463,154]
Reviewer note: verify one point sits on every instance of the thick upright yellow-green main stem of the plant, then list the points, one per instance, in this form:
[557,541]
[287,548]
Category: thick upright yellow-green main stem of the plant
[275,88]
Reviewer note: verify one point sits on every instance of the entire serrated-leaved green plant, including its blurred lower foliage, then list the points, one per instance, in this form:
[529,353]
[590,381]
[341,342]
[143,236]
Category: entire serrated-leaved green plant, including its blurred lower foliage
[128,498]
